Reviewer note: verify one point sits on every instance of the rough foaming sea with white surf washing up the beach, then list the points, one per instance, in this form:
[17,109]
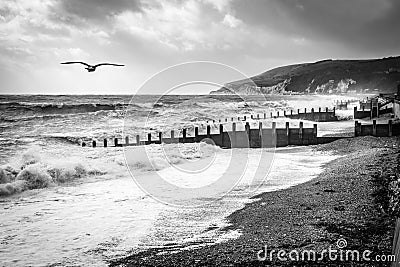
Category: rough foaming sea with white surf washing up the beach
[64,204]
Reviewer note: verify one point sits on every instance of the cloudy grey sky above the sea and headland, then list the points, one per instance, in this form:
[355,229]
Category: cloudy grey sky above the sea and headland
[251,36]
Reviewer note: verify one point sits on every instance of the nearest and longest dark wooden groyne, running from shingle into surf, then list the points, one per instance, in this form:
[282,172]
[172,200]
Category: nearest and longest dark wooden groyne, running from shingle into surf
[259,137]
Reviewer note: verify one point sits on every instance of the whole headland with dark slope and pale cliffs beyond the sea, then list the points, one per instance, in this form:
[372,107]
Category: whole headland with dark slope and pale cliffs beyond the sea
[323,77]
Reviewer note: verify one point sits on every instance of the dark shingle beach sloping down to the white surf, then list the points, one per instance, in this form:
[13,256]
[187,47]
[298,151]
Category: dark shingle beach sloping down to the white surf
[338,203]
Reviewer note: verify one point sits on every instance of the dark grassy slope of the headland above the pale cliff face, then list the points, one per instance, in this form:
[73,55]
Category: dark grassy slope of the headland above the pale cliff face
[383,74]
